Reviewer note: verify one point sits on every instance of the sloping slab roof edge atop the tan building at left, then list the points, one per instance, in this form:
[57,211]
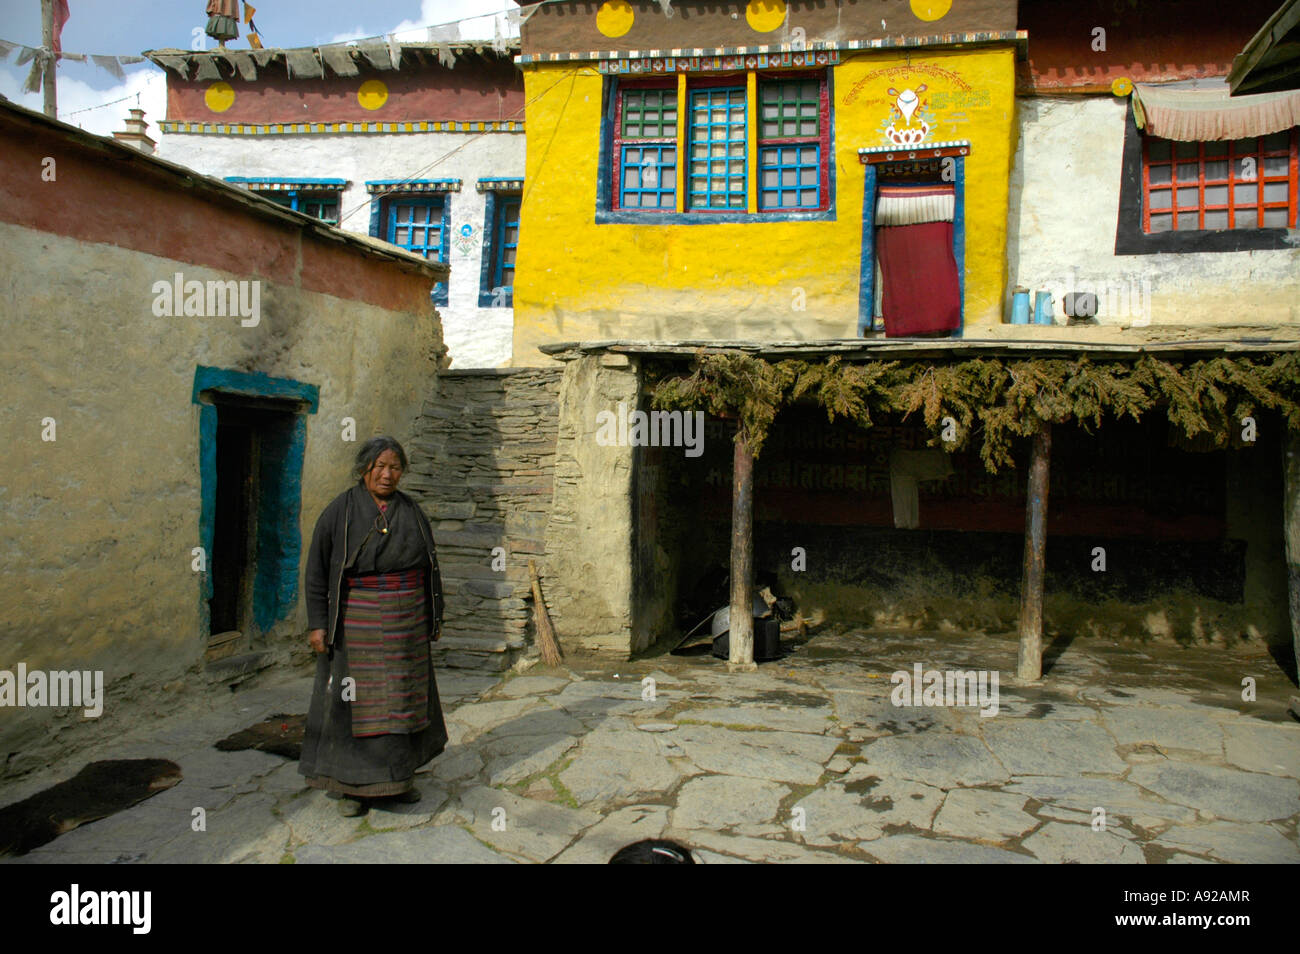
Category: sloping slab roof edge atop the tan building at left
[222,192]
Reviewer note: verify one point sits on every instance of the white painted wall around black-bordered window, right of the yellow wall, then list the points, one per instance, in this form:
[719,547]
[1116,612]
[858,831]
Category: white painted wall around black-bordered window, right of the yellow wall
[1065,201]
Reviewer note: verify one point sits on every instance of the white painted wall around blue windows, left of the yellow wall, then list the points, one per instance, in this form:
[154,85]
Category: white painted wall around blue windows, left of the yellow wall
[475,337]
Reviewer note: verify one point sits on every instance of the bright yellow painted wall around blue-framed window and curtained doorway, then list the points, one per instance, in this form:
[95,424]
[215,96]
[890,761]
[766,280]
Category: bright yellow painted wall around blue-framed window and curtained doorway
[582,281]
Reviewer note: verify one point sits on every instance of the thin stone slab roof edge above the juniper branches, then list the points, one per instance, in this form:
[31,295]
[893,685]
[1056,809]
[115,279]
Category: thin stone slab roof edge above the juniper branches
[916,348]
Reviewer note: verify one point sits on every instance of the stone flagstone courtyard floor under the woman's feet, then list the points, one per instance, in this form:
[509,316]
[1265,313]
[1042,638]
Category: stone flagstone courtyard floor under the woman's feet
[1124,754]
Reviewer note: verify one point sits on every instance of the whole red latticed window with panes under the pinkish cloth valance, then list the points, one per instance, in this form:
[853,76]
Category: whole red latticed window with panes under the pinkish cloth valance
[1246,184]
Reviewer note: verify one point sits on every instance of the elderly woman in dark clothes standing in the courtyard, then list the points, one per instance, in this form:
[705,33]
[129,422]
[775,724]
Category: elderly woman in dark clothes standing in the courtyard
[374,606]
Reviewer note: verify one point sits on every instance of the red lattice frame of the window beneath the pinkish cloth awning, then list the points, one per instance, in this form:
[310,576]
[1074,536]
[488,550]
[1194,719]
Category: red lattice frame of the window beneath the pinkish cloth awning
[1234,159]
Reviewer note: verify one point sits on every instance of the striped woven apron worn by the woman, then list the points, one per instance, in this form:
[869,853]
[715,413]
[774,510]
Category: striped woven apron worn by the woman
[387,626]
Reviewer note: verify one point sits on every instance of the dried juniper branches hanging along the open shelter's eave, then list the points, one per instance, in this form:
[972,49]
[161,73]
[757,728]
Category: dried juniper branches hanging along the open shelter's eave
[999,401]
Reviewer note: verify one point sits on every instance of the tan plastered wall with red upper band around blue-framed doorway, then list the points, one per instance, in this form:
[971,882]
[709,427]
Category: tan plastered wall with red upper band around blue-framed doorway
[103,510]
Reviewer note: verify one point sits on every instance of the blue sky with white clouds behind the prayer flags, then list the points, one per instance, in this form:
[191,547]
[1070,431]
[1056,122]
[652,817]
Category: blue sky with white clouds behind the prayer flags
[96,101]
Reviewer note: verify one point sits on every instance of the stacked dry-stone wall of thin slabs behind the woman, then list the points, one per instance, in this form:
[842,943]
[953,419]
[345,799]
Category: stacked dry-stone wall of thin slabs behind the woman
[483,465]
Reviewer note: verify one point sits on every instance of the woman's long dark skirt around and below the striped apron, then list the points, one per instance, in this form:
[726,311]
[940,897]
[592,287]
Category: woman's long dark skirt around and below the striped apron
[374,766]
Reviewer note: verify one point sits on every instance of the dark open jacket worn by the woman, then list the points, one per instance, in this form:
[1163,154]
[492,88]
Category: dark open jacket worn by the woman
[336,541]
